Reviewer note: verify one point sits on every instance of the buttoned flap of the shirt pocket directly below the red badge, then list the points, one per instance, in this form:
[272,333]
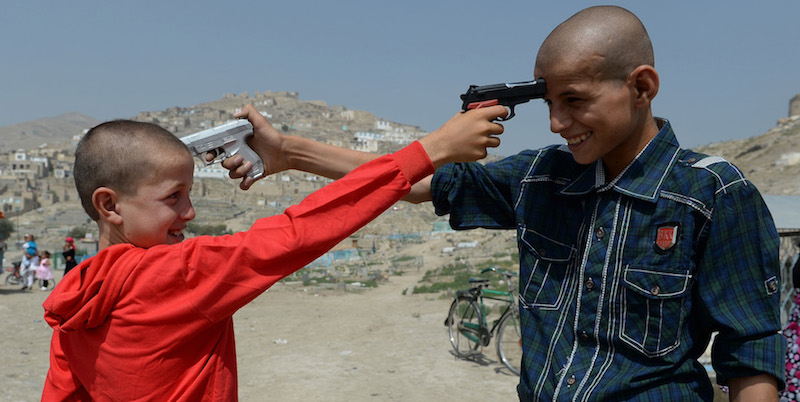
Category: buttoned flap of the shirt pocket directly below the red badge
[655,284]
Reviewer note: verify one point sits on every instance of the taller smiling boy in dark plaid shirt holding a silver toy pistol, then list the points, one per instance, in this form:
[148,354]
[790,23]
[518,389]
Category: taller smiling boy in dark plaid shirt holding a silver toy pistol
[633,251]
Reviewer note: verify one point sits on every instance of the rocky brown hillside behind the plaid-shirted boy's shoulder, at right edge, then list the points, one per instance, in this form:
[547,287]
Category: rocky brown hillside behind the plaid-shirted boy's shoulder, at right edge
[770,160]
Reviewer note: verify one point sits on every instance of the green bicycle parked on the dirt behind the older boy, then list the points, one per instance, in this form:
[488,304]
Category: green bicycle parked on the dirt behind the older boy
[469,329]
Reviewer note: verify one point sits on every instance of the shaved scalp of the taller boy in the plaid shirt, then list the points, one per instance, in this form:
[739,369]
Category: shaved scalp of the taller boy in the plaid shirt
[612,39]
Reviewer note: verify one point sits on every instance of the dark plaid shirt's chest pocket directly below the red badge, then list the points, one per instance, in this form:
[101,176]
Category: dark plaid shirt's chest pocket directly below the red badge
[653,309]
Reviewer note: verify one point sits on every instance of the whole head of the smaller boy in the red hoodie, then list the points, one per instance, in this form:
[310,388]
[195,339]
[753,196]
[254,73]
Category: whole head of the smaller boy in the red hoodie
[133,179]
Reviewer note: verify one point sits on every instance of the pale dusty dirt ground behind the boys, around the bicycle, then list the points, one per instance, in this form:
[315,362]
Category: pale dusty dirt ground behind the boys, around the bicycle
[297,343]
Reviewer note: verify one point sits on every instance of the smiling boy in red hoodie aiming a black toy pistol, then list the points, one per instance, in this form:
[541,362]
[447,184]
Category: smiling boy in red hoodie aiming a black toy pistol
[150,316]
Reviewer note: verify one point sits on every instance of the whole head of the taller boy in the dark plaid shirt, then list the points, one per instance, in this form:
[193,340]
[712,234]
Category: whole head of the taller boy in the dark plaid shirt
[598,66]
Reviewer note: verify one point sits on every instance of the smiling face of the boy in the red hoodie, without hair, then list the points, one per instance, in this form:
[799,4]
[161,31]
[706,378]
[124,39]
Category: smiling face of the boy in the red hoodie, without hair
[157,213]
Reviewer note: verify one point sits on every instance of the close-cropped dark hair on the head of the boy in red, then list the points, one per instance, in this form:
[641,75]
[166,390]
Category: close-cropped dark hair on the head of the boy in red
[118,154]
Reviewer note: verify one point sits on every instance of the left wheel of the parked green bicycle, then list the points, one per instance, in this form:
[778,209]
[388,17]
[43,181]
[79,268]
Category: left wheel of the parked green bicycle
[463,324]
